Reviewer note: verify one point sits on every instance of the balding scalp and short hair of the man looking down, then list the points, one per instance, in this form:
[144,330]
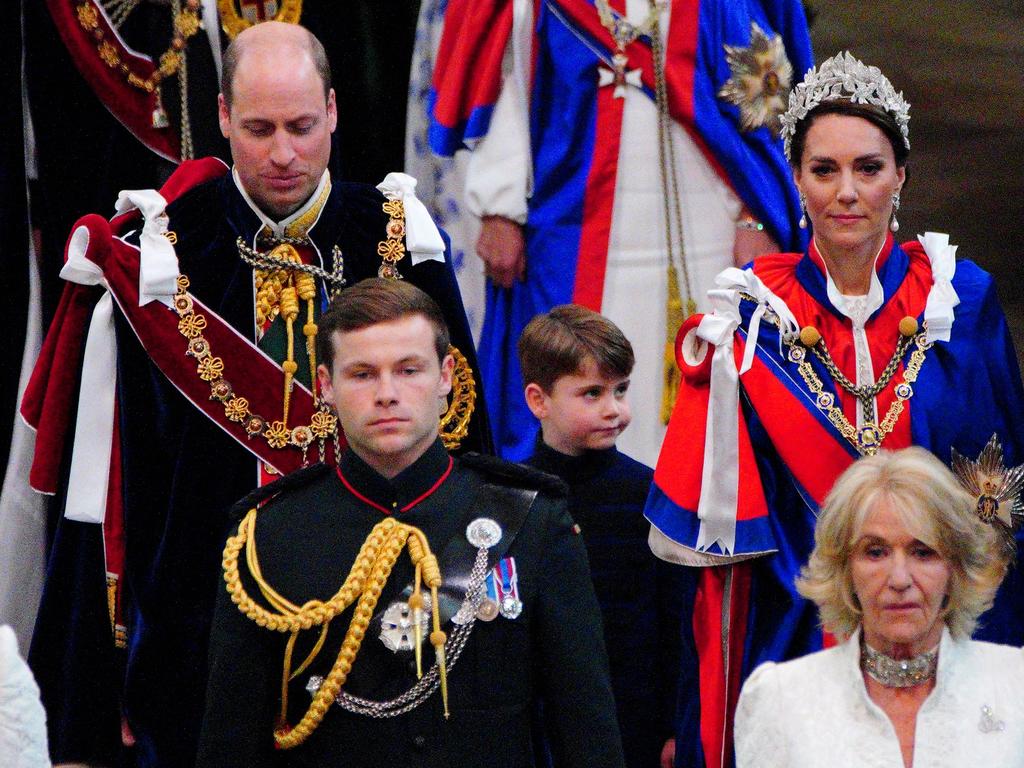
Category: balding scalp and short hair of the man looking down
[275,40]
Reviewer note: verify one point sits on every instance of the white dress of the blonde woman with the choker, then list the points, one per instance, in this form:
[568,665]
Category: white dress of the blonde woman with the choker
[816,711]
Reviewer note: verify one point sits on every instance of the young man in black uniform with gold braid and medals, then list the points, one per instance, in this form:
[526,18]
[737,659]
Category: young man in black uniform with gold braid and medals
[519,621]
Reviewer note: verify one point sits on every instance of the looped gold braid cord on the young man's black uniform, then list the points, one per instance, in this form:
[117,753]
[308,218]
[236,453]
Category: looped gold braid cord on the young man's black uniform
[370,573]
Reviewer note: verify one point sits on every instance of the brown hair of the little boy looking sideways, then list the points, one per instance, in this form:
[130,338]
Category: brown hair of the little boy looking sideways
[559,344]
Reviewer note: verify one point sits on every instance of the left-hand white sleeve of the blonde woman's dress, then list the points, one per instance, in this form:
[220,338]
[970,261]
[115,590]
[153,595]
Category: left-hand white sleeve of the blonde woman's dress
[758,737]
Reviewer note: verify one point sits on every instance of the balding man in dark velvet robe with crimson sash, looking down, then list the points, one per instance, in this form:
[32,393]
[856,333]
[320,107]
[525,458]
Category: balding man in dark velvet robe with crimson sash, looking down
[180,460]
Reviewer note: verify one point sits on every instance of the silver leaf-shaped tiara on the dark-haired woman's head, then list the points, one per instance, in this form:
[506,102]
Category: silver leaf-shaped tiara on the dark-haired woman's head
[844,77]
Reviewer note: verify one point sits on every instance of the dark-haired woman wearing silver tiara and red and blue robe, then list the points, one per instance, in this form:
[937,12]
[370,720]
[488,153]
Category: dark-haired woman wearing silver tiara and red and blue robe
[808,362]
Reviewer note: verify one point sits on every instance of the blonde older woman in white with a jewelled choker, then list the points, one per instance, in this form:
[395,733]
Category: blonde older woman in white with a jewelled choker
[902,570]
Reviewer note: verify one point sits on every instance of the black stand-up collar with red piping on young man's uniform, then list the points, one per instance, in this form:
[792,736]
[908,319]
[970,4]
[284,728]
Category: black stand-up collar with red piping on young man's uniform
[413,483]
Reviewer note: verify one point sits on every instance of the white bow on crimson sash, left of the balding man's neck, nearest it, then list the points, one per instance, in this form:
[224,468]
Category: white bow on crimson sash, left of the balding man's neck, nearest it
[158,274]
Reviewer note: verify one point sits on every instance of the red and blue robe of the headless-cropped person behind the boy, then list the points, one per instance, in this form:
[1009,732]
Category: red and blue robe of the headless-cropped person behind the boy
[576,127]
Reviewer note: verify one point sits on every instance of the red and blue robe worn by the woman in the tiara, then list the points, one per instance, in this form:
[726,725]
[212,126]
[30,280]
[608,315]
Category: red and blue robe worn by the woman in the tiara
[969,389]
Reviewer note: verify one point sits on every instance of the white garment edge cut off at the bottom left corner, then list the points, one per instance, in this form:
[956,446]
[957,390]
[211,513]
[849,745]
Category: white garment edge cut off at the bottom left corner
[23,721]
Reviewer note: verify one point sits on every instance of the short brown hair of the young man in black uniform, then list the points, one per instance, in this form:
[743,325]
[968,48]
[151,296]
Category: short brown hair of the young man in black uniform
[373,302]
